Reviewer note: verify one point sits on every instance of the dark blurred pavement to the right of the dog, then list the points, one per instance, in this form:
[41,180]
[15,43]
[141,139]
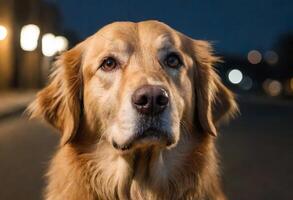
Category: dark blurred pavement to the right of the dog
[257,152]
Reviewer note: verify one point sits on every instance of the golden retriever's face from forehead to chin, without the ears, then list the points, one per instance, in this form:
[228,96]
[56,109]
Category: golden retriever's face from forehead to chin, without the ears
[137,79]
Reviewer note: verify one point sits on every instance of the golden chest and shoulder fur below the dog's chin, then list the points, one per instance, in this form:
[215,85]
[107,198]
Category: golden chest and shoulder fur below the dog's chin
[146,174]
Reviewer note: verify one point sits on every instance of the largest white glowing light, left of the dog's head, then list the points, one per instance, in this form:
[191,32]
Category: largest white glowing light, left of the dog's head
[29,36]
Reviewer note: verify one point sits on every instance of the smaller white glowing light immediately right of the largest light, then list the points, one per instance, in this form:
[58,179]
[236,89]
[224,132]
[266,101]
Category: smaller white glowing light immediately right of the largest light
[48,44]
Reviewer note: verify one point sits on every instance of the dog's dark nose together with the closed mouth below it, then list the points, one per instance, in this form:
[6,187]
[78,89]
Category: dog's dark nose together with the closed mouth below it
[150,102]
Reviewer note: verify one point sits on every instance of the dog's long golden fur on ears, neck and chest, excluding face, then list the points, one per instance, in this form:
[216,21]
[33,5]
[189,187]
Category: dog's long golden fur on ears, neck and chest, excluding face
[87,167]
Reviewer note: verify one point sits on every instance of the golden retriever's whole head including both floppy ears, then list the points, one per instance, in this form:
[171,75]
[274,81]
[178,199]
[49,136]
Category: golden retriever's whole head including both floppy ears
[135,85]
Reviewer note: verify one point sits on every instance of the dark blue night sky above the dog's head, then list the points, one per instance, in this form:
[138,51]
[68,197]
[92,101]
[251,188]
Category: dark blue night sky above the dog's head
[235,27]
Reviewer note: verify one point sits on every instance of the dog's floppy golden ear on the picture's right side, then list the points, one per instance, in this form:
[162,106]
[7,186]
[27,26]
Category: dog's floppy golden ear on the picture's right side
[214,102]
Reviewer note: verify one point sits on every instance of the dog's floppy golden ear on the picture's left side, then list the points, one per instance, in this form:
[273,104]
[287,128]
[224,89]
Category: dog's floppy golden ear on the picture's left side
[59,102]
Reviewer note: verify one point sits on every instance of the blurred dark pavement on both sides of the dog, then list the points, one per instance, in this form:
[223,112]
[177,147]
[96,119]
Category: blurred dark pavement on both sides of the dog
[256,152]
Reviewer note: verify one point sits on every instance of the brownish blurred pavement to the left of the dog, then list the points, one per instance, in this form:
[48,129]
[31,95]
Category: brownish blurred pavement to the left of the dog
[25,149]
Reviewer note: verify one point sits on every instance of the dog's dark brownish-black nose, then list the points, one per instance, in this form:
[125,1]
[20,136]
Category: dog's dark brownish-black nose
[150,100]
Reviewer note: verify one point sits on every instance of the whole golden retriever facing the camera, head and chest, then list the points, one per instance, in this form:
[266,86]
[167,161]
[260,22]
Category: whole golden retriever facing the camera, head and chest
[138,106]
